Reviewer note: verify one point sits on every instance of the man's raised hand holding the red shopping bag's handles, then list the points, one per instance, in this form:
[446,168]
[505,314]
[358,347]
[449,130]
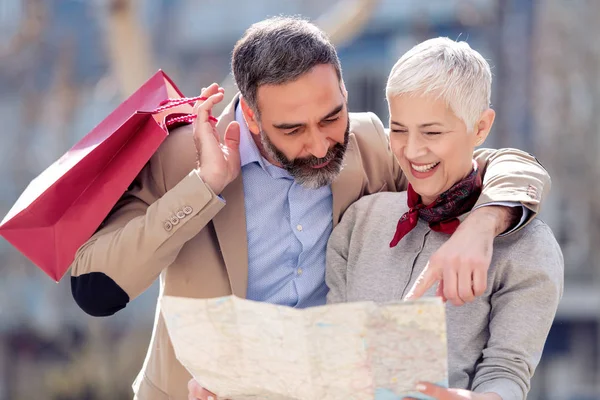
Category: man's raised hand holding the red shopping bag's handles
[218,163]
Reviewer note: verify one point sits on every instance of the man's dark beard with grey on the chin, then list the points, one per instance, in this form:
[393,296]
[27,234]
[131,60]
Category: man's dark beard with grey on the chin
[301,169]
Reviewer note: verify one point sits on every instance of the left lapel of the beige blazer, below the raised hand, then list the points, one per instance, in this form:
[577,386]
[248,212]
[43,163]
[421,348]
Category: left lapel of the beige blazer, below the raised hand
[230,222]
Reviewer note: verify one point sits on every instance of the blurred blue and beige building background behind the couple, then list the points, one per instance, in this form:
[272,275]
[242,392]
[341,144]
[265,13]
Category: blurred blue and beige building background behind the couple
[65,64]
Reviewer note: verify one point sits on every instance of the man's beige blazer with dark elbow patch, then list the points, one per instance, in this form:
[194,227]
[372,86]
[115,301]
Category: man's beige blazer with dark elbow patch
[170,225]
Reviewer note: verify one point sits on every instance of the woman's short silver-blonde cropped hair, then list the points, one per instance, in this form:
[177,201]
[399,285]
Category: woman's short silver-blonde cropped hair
[453,70]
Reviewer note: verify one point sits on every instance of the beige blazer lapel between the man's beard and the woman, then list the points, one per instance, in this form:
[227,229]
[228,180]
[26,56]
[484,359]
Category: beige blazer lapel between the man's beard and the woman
[347,187]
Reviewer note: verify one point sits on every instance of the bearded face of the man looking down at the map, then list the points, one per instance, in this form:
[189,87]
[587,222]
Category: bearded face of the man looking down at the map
[304,126]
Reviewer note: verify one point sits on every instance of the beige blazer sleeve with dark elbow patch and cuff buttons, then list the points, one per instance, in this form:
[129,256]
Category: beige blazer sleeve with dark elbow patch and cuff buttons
[142,236]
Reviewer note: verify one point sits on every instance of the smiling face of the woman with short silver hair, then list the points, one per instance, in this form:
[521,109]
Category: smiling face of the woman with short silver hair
[431,143]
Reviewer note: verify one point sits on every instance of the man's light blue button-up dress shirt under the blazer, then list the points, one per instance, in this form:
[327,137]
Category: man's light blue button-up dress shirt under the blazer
[288,227]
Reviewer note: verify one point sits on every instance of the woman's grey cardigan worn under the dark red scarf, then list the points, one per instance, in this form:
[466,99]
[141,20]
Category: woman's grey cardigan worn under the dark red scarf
[495,342]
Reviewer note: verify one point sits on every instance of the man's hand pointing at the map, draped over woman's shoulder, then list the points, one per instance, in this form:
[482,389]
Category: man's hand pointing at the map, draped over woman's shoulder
[461,264]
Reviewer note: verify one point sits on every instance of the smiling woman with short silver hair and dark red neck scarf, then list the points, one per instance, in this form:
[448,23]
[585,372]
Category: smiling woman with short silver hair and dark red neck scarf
[439,97]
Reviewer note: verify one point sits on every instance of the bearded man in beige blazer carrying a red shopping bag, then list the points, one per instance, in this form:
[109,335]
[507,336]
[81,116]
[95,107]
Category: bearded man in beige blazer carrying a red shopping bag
[191,218]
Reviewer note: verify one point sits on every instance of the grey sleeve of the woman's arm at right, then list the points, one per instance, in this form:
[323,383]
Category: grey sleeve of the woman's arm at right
[527,290]
